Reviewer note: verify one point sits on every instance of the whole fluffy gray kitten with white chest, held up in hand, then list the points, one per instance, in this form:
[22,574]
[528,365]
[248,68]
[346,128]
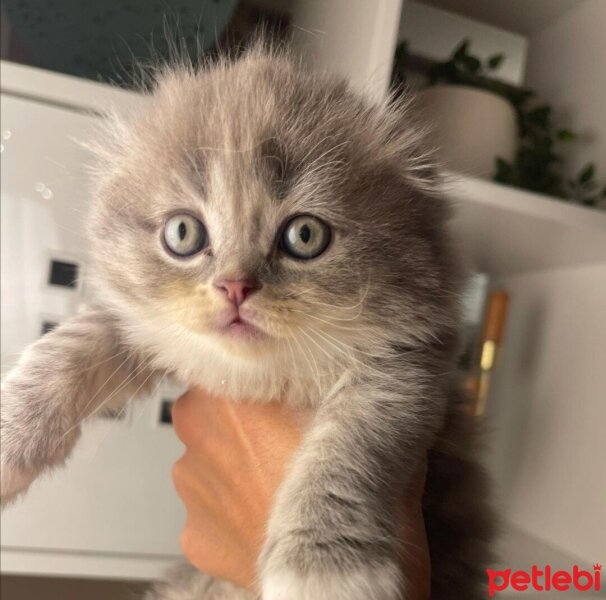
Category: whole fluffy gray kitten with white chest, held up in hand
[264,232]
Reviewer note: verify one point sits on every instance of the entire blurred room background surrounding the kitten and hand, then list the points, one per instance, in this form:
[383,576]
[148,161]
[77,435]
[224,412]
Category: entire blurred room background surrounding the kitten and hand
[514,95]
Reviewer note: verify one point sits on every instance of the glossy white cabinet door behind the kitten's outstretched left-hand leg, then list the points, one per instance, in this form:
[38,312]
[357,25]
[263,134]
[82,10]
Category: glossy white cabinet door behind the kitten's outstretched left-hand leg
[115,497]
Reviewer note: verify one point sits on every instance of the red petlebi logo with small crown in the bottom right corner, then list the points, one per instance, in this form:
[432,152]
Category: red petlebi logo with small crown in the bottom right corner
[545,579]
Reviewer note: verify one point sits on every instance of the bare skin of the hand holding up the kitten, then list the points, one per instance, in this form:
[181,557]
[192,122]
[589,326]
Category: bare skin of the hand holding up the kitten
[236,455]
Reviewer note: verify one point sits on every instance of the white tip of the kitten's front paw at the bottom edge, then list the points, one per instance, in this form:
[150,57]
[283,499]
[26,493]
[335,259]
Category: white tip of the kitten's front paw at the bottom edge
[377,582]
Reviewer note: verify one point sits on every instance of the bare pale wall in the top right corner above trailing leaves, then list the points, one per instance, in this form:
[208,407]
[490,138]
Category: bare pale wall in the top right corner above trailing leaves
[567,67]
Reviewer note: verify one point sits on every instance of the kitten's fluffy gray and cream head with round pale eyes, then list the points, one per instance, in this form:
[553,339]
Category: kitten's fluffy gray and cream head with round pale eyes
[260,215]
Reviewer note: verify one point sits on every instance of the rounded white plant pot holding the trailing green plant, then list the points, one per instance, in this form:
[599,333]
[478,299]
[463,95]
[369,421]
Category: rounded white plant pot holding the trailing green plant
[469,127]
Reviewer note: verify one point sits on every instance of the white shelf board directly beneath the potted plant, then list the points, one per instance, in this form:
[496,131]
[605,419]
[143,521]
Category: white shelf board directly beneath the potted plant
[505,230]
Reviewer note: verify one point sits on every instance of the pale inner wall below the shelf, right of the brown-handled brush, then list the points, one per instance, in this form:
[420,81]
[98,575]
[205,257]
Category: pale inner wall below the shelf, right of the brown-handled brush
[547,412]
